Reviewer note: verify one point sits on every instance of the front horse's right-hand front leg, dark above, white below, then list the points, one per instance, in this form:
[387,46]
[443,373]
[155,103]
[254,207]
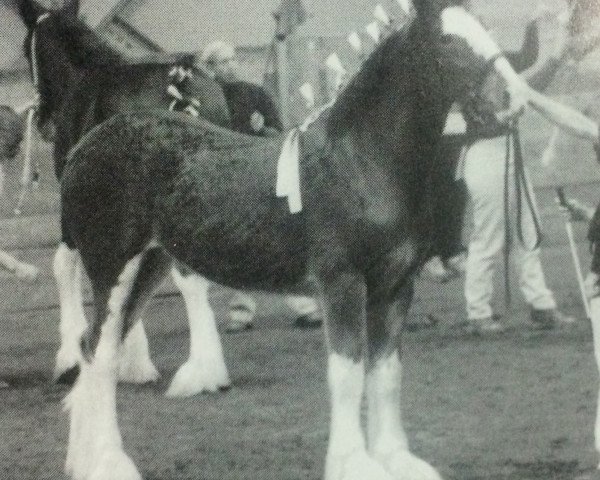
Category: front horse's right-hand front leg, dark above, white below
[387,439]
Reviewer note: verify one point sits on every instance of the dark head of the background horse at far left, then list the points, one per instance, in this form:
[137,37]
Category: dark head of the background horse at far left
[45,47]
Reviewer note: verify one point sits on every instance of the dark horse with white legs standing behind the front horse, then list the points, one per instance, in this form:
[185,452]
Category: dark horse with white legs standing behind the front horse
[81,83]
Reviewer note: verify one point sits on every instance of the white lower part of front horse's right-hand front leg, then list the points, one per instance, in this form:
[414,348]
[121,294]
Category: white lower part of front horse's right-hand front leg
[387,440]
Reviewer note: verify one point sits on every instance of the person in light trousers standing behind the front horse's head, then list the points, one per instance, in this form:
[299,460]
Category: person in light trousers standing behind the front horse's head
[484,176]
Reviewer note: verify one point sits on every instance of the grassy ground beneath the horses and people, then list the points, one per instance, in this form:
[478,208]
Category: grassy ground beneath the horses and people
[521,407]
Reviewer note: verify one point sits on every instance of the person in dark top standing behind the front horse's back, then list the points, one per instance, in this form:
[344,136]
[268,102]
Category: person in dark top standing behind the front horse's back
[253,112]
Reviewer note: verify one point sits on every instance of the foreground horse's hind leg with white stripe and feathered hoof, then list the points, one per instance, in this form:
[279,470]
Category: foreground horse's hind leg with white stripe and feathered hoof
[95,449]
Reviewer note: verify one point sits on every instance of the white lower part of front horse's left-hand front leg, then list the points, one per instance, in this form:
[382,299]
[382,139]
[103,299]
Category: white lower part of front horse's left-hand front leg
[347,458]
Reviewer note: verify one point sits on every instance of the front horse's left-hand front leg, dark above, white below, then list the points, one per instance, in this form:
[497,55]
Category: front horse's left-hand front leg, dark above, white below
[344,301]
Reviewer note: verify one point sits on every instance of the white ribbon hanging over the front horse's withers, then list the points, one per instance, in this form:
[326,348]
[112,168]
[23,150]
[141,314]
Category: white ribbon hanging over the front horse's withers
[288,165]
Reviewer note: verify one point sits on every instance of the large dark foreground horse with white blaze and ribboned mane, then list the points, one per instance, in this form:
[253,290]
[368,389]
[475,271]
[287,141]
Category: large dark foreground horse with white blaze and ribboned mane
[144,189]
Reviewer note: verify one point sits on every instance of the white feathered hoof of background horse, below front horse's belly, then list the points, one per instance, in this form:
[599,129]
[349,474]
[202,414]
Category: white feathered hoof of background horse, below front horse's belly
[193,378]
